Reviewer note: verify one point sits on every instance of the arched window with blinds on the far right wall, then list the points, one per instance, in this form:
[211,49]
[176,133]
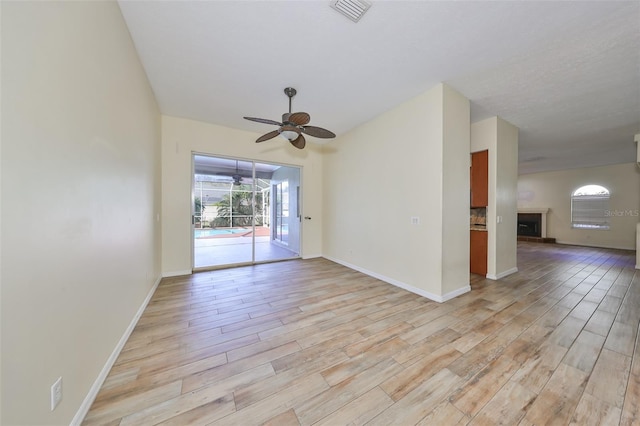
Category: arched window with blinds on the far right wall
[590,207]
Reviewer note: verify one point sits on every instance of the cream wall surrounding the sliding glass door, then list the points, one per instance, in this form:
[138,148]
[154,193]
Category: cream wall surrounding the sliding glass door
[181,137]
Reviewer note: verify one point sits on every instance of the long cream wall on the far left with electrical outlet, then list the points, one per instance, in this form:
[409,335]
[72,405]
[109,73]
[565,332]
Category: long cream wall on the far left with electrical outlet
[81,136]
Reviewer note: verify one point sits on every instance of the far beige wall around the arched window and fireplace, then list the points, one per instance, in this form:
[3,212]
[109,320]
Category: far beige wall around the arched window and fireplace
[553,190]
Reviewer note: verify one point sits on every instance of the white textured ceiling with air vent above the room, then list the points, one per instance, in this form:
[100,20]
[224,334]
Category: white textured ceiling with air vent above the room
[566,73]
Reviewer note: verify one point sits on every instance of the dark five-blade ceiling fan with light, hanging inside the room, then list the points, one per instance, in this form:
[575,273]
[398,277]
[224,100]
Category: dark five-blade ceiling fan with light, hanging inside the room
[293,126]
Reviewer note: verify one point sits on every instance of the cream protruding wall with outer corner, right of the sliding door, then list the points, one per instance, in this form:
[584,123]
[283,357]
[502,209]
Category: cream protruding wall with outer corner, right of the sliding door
[381,174]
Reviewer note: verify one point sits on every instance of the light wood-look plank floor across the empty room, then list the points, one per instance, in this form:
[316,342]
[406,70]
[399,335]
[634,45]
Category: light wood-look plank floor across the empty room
[312,342]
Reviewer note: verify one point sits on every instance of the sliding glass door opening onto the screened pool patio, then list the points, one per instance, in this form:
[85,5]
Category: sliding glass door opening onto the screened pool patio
[244,212]
